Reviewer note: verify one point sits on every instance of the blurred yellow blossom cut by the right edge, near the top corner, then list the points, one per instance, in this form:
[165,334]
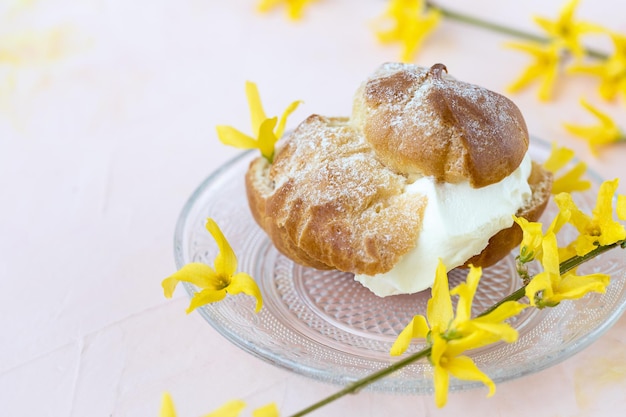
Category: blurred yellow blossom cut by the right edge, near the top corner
[611,71]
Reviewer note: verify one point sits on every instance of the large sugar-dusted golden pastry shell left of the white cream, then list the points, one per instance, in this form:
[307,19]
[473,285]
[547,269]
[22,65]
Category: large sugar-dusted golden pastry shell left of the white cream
[327,202]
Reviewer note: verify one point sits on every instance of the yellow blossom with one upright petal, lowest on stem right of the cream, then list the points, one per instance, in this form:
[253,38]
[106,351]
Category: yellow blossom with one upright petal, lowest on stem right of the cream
[548,288]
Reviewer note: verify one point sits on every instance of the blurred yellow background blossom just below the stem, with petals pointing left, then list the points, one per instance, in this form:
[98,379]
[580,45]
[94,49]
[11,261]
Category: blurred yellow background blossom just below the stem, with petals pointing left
[545,68]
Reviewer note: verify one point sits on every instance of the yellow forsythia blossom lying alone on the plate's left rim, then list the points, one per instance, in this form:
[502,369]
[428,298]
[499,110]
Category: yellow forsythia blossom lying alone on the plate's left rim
[214,283]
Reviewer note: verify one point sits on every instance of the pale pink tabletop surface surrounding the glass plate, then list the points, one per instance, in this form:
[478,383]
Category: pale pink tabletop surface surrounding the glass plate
[102,143]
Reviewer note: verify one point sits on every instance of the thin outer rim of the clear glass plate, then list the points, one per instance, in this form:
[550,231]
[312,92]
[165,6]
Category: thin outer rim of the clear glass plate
[210,315]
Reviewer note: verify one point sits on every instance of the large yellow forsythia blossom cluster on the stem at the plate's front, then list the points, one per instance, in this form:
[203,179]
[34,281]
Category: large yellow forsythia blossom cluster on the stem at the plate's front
[452,335]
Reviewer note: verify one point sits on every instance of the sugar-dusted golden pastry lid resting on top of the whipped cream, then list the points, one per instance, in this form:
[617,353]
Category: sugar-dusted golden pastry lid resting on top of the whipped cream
[422,122]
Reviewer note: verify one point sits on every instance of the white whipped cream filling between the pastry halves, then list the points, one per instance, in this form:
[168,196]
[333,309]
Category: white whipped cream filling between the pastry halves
[458,222]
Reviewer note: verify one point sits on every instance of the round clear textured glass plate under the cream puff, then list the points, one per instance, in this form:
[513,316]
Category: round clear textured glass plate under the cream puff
[325,325]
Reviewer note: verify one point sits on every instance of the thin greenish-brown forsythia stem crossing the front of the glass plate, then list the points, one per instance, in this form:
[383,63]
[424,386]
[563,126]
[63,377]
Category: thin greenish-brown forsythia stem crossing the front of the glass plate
[354,387]
